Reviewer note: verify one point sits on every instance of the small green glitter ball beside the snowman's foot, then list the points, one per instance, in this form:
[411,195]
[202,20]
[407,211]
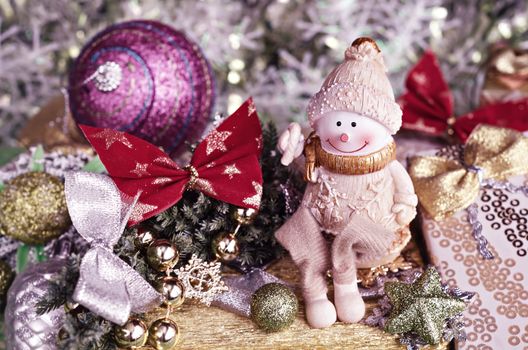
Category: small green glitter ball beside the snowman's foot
[273,307]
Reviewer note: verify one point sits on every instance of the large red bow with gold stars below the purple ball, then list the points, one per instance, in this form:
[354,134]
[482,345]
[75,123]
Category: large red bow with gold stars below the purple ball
[225,165]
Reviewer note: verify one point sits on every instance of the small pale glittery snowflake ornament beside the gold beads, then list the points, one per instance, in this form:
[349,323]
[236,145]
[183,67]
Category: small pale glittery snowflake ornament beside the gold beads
[202,280]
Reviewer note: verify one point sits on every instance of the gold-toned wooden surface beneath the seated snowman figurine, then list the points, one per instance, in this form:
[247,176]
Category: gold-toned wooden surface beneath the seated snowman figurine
[213,328]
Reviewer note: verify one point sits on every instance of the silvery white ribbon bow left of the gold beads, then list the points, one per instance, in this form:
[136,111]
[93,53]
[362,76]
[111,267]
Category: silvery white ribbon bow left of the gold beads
[107,285]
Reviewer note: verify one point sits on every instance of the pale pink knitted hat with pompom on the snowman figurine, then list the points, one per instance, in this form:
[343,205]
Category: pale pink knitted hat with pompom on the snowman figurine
[360,85]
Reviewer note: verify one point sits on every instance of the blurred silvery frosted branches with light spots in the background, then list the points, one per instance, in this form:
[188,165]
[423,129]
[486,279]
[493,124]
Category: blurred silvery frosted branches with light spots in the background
[279,51]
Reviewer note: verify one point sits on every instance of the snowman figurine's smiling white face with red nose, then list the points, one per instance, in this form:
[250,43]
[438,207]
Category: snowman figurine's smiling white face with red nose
[351,134]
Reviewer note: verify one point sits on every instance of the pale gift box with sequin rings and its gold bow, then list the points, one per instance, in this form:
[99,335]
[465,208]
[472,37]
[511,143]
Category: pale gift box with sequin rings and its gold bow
[474,214]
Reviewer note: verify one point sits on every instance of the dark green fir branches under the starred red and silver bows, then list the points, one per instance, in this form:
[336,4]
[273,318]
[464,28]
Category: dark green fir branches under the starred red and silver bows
[192,224]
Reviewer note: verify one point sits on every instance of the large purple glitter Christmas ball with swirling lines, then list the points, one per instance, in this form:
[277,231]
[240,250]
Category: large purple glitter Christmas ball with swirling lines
[145,78]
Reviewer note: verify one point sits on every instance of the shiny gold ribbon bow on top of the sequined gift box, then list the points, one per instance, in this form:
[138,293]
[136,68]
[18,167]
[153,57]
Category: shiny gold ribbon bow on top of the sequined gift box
[446,186]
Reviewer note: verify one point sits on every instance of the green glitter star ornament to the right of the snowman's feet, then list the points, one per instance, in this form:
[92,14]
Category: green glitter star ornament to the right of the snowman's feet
[421,307]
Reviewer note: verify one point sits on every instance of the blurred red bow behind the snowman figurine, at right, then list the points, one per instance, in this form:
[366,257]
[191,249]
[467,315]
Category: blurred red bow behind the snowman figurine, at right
[428,106]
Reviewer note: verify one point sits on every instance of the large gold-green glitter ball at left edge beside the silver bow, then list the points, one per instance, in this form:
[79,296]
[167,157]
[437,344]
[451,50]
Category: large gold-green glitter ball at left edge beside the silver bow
[33,208]
